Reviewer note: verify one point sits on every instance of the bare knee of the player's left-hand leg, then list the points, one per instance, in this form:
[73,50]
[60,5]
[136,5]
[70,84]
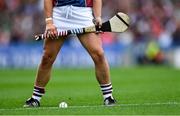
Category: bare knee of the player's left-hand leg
[47,60]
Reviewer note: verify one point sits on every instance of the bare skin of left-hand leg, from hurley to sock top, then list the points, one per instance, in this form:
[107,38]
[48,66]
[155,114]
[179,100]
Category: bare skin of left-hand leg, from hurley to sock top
[51,49]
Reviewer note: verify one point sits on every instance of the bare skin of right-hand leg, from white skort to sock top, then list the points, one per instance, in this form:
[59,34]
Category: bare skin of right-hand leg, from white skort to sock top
[93,44]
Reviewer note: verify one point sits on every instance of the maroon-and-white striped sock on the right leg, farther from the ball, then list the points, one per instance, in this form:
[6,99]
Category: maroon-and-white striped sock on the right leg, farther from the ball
[106,90]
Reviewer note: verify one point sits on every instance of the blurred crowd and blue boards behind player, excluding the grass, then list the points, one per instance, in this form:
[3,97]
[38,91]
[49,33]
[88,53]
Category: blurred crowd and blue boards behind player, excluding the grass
[152,38]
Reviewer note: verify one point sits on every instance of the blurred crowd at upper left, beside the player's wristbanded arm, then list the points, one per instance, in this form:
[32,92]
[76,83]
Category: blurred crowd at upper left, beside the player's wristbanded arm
[20,19]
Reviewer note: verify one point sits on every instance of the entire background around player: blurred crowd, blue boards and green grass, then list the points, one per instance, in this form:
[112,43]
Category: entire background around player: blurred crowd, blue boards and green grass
[145,61]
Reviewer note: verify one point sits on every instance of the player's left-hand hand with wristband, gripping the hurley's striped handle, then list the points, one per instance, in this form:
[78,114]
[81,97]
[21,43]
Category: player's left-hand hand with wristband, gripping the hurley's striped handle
[51,31]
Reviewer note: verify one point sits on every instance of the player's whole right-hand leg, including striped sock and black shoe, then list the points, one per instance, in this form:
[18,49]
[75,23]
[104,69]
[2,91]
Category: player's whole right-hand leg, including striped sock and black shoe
[93,44]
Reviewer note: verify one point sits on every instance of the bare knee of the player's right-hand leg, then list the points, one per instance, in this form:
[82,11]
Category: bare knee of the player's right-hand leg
[98,56]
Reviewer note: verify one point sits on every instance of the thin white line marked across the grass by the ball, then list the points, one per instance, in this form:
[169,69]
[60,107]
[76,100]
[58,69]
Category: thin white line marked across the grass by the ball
[95,106]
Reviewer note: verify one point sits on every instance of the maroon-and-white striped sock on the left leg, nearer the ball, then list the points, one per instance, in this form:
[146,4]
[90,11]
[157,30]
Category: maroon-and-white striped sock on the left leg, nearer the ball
[38,92]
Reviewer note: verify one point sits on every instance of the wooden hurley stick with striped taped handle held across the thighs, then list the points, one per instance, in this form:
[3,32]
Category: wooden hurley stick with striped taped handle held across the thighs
[118,23]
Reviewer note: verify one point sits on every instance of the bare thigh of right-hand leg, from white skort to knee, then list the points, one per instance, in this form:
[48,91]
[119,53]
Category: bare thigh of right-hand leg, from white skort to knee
[92,43]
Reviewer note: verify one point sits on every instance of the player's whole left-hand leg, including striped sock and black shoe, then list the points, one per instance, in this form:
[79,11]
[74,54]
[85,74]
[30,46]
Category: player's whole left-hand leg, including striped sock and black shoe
[51,49]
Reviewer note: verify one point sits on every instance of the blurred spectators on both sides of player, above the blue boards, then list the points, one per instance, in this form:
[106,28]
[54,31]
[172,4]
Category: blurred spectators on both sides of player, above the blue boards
[151,20]
